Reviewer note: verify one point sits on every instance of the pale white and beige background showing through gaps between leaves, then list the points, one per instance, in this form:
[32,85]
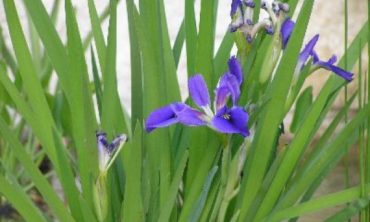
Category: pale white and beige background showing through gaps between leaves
[327,19]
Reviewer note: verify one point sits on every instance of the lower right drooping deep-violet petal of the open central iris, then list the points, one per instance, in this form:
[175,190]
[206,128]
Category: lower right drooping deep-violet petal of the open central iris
[234,120]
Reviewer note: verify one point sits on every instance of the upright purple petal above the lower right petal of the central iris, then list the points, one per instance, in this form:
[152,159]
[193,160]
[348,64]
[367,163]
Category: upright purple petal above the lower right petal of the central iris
[228,85]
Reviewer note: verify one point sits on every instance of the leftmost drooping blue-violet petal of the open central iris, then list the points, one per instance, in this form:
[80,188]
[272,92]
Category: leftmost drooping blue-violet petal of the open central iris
[161,117]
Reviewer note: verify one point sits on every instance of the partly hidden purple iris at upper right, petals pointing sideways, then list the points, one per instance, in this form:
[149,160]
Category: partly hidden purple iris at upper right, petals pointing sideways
[308,51]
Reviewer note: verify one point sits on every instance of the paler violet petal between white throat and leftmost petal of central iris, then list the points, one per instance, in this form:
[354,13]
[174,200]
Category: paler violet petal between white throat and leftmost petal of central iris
[187,115]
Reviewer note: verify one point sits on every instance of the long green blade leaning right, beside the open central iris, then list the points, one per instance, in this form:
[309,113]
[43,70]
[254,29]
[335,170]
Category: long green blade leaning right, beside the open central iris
[271,119]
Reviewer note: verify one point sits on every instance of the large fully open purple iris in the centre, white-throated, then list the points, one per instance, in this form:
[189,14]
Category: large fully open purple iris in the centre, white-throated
[222,119]
